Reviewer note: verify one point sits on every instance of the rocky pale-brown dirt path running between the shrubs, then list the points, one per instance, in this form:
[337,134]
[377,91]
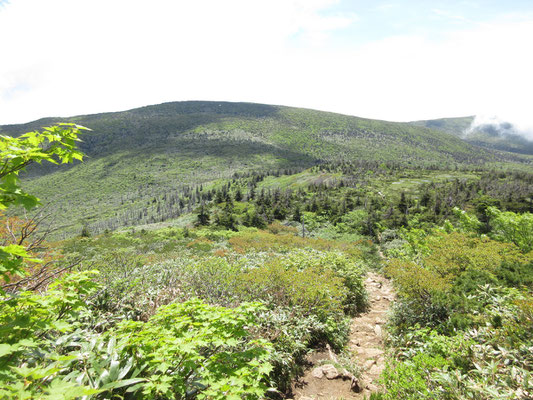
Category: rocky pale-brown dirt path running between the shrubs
[322,381]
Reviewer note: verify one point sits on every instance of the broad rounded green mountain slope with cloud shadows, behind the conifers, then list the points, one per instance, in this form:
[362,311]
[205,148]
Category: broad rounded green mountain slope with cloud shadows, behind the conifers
[137,155]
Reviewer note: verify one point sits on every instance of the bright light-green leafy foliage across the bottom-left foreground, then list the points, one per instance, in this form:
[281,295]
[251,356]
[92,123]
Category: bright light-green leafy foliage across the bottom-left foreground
[185,348]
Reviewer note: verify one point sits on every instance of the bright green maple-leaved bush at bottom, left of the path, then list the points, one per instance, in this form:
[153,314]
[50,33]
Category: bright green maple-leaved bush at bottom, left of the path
[194,349]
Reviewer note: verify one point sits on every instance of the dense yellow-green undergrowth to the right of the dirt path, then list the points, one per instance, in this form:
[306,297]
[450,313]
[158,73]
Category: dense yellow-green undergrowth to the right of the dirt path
[462,327]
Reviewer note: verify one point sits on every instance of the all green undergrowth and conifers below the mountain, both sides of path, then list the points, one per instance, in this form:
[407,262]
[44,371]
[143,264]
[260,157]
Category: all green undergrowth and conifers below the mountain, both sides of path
[226,301]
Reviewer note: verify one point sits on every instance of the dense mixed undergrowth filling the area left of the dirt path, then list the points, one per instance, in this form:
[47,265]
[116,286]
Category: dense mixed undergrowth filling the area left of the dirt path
[261,310]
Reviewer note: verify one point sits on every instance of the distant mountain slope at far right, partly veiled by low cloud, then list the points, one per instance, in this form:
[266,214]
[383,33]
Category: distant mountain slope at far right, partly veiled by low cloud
[487,136]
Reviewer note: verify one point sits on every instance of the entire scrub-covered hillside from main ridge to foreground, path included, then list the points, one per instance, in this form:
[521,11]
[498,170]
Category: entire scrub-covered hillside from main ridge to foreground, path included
[242,251]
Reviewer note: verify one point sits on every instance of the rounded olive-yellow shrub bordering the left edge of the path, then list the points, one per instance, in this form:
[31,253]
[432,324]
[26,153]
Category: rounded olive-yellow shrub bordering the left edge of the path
[306,291]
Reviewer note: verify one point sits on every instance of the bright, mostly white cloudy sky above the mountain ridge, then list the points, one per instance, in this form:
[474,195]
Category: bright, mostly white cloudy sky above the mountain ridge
[397,60]
